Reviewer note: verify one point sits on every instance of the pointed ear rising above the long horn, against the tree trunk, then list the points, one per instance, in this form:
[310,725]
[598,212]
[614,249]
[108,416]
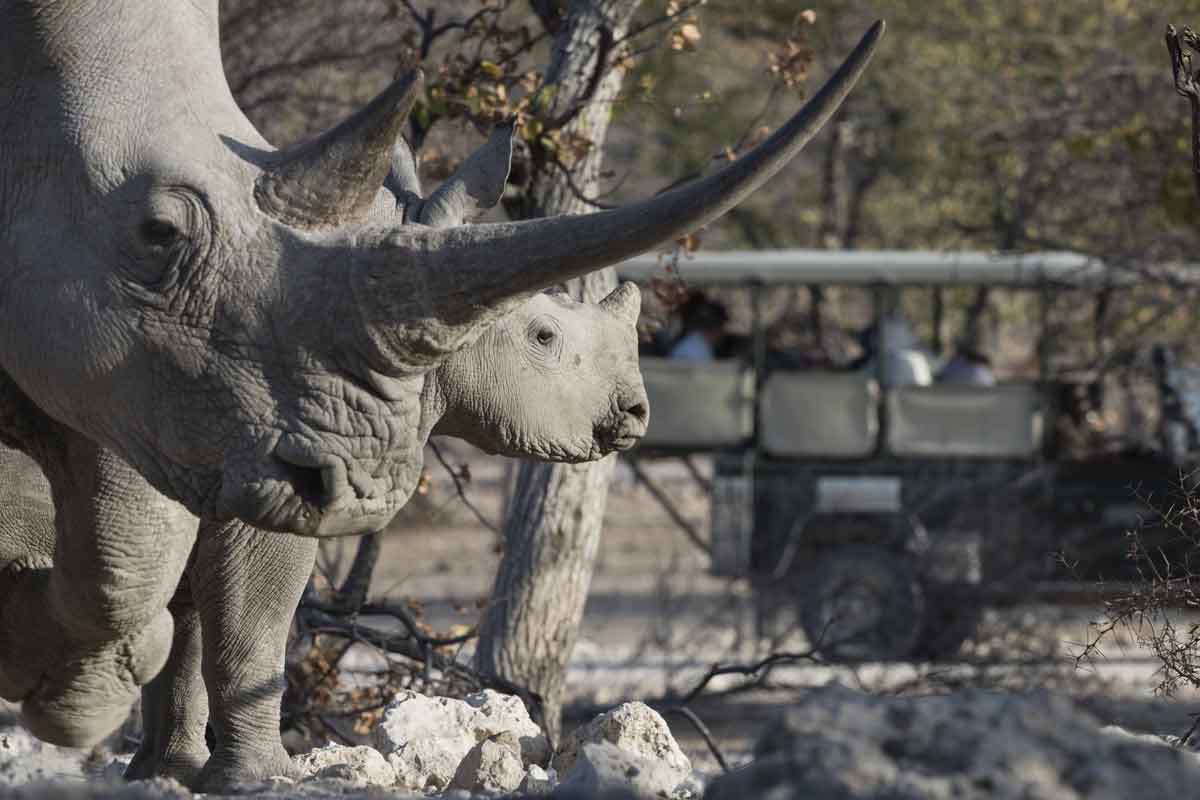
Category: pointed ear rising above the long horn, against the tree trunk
[476,187]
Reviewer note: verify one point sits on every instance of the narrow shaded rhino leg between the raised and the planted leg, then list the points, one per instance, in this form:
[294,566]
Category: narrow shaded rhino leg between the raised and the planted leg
[175,706]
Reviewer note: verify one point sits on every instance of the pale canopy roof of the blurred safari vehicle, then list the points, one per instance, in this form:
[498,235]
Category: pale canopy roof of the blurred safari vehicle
[883,268]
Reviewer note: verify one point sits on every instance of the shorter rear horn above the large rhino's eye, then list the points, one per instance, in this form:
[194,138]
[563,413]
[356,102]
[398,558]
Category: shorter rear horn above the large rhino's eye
[335,178]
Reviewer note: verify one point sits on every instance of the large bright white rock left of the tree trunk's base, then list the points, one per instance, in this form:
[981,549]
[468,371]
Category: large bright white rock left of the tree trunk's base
[425,739]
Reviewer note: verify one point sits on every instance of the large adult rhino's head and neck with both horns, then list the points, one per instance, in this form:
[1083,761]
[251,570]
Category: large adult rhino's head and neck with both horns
[254,329]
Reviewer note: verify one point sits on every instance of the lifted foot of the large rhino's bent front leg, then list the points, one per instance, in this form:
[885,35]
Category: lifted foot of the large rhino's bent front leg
[87,695]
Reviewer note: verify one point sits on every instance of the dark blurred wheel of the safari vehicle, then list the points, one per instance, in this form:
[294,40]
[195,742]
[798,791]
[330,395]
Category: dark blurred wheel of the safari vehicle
[862,603]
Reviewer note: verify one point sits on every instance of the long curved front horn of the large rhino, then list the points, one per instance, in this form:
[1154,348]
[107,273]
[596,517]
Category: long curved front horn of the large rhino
[473,268]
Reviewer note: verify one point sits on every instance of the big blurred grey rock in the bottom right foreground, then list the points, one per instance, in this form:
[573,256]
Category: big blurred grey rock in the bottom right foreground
[845,745]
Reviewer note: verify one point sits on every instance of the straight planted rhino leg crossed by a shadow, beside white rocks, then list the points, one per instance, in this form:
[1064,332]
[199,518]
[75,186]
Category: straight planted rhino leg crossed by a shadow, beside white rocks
[247,585]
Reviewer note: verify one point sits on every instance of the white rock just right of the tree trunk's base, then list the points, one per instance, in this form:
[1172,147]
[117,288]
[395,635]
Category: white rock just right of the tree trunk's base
[633,727]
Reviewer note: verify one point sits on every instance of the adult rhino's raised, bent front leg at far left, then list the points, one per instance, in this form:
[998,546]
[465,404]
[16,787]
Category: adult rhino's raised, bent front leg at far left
[80,639]
